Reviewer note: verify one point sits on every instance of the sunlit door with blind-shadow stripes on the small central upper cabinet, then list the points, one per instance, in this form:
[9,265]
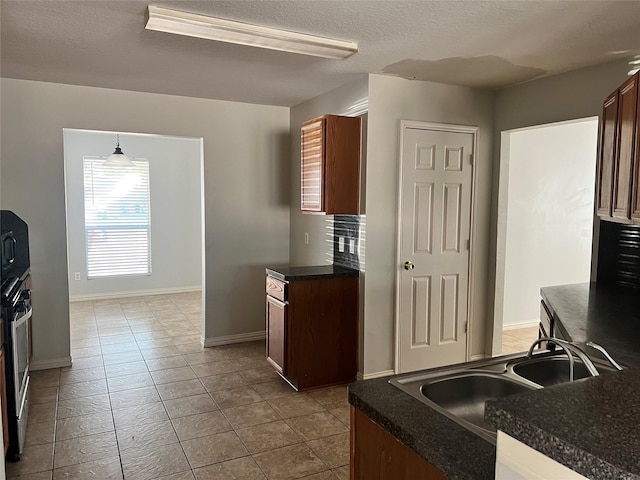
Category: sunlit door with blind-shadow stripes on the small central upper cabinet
[312,166]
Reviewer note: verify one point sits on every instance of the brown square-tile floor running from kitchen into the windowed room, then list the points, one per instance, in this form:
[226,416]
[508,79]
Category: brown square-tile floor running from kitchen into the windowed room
[143,400]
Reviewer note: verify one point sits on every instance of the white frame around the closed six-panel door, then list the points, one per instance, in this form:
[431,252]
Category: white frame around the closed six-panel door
[442,127]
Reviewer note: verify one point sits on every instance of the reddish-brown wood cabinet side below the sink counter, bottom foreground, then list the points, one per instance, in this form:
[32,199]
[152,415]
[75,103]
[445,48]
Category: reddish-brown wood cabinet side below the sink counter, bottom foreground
[378,455]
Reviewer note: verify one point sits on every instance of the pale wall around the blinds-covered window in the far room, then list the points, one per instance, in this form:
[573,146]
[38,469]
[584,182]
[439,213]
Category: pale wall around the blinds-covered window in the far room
[175,207]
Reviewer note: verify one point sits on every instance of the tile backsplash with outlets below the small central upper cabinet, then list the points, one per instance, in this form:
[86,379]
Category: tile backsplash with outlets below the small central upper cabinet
[346,239]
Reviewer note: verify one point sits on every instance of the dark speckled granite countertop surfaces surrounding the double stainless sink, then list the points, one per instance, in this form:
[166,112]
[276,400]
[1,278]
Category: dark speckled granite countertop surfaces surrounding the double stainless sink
[589,425]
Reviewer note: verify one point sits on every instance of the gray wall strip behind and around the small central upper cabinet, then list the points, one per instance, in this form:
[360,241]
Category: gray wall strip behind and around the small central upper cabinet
[335,102]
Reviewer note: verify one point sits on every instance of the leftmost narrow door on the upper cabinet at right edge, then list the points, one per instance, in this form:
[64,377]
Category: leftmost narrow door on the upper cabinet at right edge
[607,155]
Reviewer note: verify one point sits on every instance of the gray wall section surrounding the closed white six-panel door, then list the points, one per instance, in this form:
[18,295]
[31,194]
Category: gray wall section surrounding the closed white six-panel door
[391,100]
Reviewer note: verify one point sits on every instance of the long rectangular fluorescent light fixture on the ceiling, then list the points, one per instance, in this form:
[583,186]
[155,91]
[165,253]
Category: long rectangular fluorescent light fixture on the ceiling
[211,28]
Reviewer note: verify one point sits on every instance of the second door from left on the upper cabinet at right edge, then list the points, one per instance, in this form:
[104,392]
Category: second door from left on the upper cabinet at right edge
[623,169]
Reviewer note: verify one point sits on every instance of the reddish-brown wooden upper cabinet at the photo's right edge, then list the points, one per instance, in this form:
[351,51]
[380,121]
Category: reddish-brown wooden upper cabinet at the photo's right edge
[618,162]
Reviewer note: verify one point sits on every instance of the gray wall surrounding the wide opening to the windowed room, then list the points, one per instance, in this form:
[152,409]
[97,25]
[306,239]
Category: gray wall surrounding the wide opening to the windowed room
[246,188]
